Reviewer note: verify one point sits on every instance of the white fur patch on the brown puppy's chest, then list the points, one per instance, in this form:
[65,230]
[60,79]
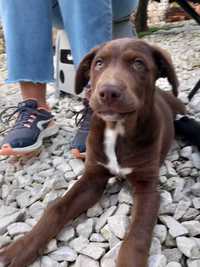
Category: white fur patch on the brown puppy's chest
[110,139]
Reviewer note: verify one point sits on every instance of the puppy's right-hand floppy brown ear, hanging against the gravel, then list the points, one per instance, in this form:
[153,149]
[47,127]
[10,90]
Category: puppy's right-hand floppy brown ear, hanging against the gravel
[165,68]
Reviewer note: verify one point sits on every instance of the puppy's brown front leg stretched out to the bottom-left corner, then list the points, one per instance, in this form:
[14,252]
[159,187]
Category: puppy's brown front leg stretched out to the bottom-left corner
[84,194]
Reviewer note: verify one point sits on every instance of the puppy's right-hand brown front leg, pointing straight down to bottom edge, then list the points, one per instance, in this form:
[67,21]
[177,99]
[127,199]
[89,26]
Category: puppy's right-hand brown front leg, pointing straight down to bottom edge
[135,248]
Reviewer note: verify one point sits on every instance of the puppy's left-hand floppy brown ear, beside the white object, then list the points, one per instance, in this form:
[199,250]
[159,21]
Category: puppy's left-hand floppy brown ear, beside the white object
[83,71]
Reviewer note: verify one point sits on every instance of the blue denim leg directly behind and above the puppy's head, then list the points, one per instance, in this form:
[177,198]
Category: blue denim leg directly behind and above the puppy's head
[87,23]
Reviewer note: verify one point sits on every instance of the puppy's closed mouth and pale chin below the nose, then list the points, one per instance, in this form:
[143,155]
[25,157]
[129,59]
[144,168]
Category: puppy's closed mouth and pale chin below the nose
[111,115]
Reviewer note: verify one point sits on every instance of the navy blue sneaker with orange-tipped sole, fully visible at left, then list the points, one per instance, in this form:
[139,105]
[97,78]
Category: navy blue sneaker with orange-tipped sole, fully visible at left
[32,125]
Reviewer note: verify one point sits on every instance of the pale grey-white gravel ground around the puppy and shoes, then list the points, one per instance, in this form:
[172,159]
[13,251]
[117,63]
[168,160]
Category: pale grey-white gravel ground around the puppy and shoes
[93,239]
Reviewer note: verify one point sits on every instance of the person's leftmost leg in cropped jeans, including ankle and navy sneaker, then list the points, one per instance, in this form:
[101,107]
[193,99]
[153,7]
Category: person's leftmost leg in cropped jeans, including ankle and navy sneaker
[28,33]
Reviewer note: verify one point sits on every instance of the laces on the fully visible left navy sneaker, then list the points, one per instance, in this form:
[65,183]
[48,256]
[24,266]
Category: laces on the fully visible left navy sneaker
[25,118]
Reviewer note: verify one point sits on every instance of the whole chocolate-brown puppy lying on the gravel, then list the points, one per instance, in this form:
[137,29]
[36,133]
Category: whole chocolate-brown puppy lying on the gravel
[131,133]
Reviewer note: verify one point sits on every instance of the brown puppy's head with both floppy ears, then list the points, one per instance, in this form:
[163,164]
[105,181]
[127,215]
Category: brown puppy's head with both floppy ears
[123,73]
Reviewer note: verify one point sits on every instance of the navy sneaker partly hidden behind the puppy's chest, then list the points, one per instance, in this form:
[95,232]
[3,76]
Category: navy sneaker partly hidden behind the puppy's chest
[78,145]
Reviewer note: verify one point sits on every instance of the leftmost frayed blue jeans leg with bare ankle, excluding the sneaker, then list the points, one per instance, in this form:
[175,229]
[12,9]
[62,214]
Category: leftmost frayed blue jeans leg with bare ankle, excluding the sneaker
[27,29]
